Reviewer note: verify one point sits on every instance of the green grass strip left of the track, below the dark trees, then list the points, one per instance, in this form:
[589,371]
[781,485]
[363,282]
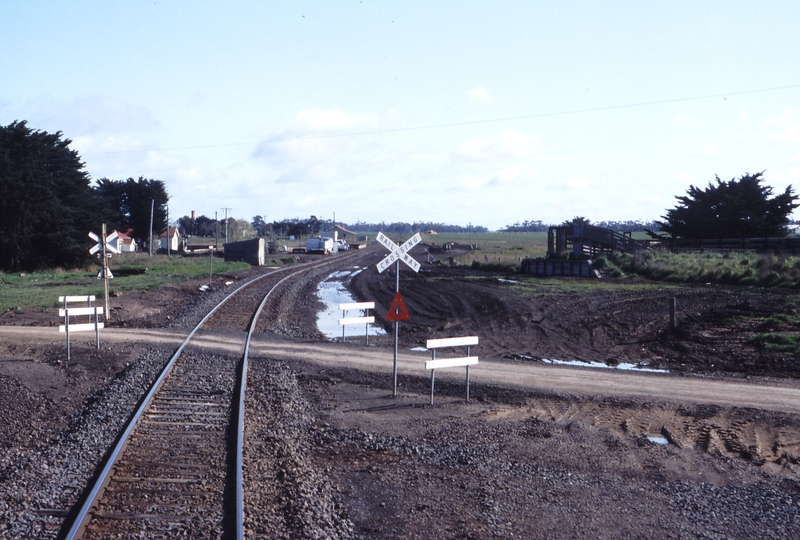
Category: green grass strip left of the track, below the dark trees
[37,290]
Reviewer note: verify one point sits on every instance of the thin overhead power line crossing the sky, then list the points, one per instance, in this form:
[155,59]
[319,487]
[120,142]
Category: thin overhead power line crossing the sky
[456,124]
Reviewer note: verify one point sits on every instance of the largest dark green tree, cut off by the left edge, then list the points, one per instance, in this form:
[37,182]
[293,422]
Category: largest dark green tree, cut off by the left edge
[47,206]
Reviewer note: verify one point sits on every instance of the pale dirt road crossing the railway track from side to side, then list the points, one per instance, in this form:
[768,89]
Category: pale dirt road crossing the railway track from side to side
[778,396]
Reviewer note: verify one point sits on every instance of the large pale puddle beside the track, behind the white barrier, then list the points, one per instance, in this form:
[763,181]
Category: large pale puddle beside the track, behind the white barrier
[332,292]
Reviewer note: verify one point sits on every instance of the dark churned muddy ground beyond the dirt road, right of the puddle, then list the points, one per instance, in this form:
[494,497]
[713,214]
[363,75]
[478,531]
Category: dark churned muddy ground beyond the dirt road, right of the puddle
[629,323]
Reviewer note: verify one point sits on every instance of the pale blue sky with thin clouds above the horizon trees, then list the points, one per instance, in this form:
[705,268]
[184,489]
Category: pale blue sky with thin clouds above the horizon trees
[456,112]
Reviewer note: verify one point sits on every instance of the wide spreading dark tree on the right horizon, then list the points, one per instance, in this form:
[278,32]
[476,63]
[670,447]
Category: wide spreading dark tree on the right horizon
[734,209]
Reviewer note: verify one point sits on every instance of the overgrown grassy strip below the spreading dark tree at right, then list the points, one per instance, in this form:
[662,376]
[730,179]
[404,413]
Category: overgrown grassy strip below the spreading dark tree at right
[764,270]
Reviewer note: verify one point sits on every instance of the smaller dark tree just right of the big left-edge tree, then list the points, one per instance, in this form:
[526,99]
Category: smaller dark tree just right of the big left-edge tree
[128,202]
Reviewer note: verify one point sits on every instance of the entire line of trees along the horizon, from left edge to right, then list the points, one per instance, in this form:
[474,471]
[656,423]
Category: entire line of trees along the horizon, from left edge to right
[48,204]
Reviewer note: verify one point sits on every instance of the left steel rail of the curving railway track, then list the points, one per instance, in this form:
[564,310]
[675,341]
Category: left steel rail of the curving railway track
[84,515]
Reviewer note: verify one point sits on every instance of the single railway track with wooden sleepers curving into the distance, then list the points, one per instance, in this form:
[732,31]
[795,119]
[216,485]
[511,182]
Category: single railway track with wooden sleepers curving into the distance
[176,468]
